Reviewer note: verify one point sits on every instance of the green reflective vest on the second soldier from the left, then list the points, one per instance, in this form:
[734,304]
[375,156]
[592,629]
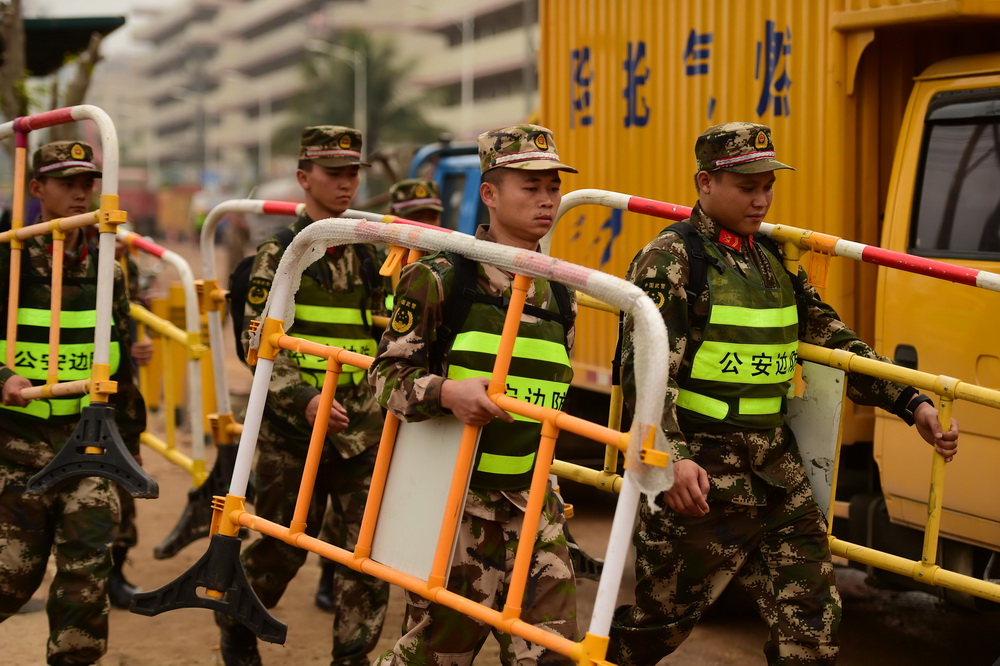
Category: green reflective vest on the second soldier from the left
[340,319]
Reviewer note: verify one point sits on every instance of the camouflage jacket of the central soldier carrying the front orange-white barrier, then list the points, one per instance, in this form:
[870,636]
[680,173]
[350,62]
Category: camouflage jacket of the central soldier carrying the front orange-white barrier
[401,375]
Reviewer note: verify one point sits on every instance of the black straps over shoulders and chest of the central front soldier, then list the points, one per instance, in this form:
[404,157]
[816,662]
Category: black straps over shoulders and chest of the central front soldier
[464,293]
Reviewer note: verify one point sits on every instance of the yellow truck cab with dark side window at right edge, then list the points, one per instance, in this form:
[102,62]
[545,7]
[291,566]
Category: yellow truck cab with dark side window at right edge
[944,203]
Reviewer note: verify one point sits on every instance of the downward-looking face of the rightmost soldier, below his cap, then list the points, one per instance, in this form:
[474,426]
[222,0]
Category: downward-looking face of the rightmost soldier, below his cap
[737,201]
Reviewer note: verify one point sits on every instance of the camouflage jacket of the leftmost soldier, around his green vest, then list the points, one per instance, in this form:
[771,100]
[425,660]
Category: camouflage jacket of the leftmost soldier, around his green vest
[80,262]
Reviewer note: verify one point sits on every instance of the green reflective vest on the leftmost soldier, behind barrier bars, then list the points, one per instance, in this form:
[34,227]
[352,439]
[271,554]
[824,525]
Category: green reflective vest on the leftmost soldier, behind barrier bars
[77,323]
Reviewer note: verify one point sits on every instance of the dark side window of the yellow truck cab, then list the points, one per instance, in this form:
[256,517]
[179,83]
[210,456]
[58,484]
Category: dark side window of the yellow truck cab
[957,199]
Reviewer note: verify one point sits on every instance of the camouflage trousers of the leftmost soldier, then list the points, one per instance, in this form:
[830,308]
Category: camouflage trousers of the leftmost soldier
[75,523]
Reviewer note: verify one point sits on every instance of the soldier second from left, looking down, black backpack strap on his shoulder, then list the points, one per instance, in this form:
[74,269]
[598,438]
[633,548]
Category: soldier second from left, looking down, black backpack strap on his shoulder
[334,305]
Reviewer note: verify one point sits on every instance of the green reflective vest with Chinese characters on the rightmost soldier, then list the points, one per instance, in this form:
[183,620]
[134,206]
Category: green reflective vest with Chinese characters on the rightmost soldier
[742,368]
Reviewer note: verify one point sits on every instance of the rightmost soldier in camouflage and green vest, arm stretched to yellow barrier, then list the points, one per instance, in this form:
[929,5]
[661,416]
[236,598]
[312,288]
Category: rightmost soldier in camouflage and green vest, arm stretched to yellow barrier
[741,507]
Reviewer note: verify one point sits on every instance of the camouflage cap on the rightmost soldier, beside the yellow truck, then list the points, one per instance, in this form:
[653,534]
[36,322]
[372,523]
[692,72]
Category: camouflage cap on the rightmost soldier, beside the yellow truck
[737,147]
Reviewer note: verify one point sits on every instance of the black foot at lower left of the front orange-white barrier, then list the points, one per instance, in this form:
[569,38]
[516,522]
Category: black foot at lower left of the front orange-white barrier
[218,572]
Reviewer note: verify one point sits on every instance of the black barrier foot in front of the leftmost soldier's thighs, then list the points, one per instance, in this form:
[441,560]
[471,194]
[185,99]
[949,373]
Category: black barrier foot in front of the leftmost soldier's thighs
[96,429]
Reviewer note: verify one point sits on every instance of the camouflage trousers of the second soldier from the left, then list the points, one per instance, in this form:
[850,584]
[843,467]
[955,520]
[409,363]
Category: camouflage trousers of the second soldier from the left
[359,600]
